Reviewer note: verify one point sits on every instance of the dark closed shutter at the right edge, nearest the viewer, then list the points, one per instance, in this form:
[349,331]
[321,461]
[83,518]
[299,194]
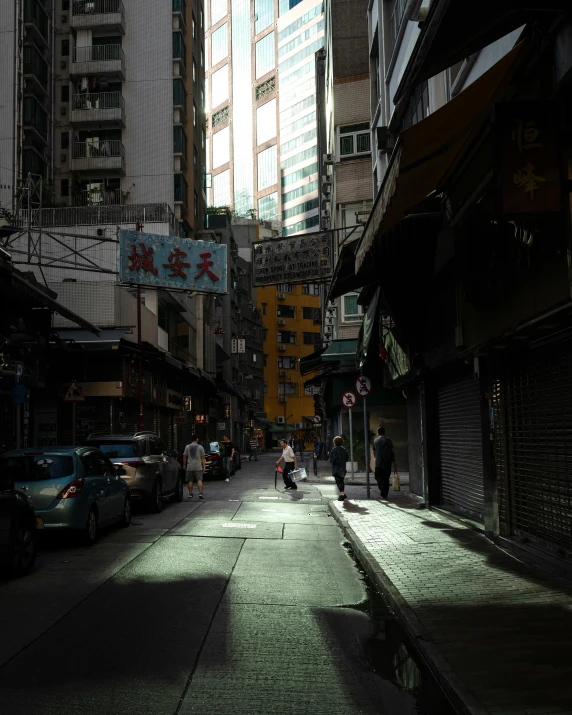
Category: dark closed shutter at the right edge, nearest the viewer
[539,445]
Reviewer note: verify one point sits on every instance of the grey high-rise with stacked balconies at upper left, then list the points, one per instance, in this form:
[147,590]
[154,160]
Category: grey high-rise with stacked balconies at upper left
[105,101]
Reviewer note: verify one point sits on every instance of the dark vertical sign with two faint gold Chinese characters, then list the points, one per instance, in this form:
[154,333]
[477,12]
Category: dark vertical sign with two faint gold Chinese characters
[528,157]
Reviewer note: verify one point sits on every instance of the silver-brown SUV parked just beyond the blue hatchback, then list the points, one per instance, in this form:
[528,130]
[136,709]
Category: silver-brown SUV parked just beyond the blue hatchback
[150,470]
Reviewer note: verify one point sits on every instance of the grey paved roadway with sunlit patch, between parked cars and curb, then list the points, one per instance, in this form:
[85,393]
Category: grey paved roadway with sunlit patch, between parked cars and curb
[242,603]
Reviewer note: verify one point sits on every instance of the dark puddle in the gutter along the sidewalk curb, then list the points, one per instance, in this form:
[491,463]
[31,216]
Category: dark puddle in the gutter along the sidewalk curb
[392,655]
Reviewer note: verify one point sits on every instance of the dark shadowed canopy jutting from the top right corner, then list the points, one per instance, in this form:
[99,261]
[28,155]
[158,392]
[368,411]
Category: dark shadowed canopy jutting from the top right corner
[456,29]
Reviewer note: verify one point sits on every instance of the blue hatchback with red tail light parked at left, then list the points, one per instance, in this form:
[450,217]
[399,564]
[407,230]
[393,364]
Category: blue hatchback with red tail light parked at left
[71,488]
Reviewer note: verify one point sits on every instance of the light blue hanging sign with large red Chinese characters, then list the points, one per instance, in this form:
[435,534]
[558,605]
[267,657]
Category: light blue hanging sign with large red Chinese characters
[171,262]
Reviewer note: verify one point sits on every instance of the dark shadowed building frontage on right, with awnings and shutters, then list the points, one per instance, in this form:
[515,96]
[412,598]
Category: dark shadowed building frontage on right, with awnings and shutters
[471,206]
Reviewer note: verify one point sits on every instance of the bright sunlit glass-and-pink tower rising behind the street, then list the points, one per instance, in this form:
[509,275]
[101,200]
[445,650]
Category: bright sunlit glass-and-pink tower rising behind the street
[262,138]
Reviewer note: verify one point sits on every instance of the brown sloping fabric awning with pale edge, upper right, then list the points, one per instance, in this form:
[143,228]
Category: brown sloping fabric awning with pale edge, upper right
[427,152]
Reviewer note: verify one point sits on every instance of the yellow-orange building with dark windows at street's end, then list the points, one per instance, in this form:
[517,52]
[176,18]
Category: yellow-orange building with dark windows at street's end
[291,318]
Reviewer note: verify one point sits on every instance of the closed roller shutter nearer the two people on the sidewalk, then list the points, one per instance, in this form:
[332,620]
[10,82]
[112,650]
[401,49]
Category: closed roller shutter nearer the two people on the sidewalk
[460,438]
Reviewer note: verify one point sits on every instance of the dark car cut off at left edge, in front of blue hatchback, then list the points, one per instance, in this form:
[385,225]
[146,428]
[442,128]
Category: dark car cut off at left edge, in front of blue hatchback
[17,528]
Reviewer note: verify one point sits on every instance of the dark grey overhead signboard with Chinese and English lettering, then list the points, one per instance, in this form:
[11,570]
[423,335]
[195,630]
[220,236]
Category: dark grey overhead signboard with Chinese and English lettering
[296,259]
